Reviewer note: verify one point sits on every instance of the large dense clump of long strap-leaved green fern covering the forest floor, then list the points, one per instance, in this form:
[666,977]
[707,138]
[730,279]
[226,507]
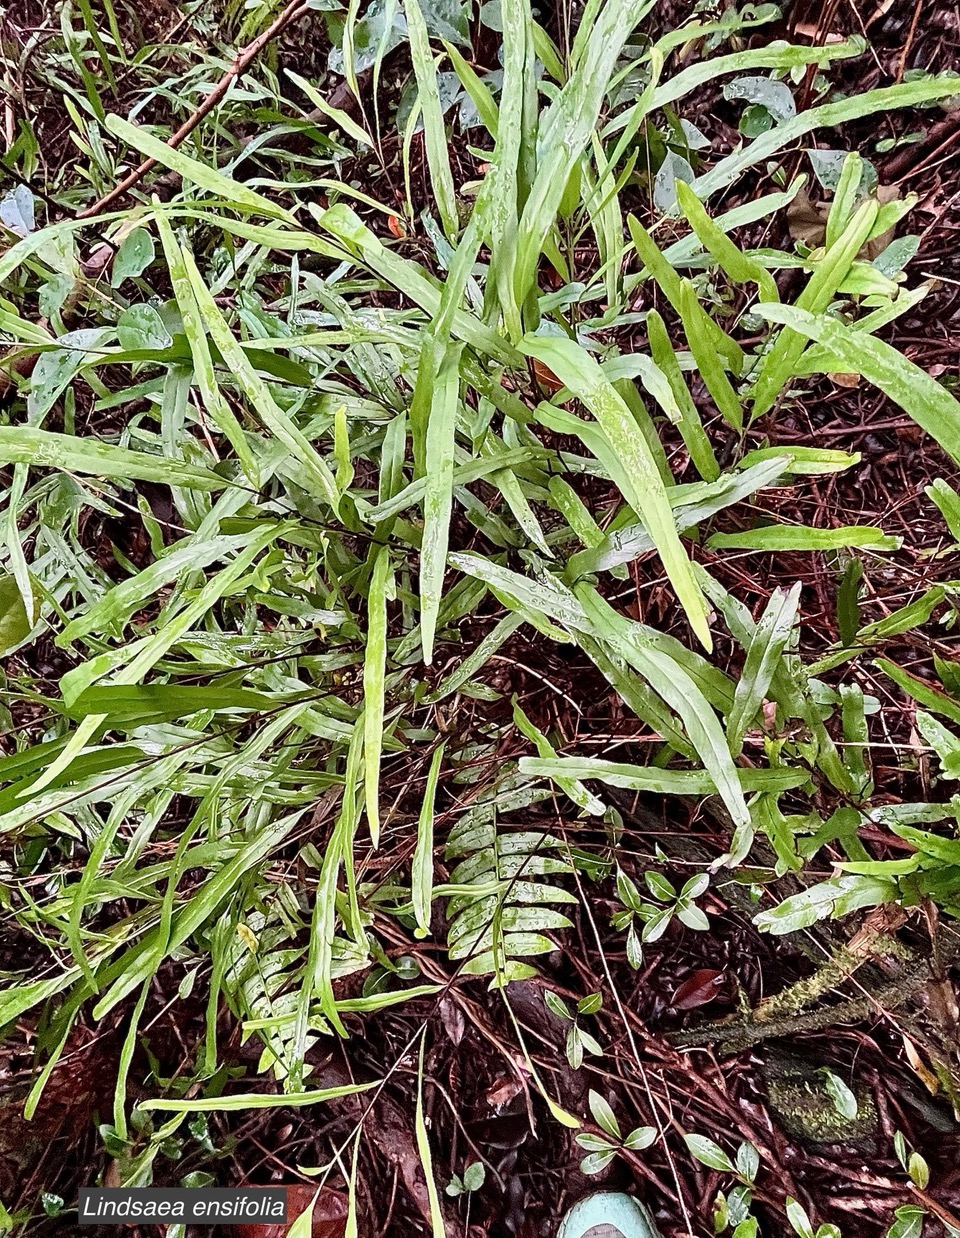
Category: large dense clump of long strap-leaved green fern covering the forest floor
[319,439]
